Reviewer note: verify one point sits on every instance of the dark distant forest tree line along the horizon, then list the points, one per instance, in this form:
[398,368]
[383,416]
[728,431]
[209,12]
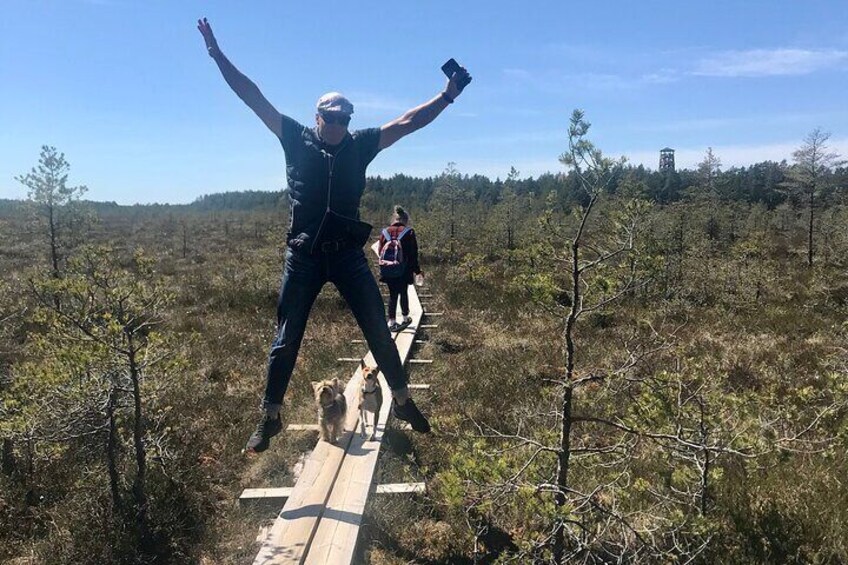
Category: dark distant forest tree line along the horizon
[766,182]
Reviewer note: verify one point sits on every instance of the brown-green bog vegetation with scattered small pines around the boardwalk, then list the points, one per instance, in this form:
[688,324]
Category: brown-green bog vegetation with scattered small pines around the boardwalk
[633,366]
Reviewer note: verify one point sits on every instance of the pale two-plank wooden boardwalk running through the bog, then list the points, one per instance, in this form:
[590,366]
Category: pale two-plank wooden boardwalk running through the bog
[319,523]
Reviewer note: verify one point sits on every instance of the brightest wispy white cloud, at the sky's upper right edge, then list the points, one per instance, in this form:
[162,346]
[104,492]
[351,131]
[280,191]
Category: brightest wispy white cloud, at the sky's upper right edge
[770,62]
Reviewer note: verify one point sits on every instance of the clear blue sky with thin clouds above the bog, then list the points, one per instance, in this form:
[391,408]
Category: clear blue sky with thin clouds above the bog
[125,89]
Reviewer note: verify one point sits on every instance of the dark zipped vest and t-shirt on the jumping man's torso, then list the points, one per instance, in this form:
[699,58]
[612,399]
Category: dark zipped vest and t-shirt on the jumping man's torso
[309,162]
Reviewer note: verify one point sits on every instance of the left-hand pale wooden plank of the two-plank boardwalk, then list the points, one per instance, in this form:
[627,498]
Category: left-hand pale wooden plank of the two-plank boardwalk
[289,538]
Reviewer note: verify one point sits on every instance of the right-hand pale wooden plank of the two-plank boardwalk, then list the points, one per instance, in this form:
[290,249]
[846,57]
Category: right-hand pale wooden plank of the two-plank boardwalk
[335,540]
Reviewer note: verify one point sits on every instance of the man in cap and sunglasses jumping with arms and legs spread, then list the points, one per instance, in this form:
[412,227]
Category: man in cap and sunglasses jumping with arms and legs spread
[325,170]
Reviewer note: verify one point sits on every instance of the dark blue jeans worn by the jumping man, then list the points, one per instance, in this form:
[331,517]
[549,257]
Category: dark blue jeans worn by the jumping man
[303,277]
